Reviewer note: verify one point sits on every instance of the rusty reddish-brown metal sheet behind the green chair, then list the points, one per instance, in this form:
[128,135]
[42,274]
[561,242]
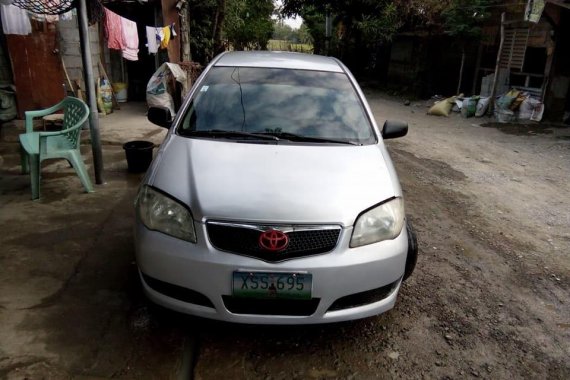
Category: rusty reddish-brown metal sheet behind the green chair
[36,64]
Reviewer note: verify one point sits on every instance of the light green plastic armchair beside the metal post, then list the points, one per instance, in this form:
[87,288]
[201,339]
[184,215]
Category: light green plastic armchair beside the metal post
[39,146]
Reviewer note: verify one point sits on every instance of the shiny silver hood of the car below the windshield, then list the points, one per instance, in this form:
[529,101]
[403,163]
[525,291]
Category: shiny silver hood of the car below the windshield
[270,183]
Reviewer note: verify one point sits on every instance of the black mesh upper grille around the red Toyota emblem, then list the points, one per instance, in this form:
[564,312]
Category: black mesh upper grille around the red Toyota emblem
[244,240]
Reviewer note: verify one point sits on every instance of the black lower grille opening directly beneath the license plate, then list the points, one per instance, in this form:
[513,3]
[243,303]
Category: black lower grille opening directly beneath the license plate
[298,308]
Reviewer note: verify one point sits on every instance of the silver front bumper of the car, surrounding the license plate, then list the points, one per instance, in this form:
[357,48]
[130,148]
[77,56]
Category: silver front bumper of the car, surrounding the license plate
[196,279]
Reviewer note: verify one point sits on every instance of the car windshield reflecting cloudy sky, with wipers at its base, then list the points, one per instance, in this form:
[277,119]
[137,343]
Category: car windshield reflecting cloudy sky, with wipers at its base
[295,105]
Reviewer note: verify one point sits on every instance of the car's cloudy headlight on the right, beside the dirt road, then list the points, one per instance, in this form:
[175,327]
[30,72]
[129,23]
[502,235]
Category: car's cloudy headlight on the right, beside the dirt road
[384,222]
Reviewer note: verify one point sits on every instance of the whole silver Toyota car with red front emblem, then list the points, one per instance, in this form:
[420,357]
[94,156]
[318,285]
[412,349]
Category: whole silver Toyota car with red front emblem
[273,199]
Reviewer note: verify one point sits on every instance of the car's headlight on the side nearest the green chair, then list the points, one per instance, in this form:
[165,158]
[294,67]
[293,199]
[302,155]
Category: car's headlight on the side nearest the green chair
[161,213]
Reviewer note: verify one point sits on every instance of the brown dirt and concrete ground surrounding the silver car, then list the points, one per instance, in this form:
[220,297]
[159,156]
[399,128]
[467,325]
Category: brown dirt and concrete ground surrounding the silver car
[489,298]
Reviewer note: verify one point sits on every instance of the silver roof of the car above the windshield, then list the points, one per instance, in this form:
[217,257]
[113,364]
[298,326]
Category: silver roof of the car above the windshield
[280,60]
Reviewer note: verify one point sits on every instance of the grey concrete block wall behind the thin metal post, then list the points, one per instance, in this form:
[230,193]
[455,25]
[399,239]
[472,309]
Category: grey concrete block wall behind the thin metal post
[71,50]
